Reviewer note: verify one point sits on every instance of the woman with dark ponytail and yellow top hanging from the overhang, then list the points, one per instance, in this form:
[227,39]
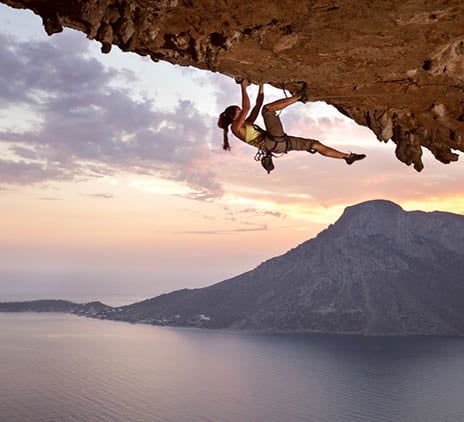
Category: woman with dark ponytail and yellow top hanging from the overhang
[273,139]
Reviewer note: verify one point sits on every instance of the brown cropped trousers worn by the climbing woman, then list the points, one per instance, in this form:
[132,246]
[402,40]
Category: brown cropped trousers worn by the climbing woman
[274,127]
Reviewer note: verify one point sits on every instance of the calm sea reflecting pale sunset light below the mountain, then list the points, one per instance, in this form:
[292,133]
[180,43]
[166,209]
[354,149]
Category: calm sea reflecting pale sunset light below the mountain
[65,368]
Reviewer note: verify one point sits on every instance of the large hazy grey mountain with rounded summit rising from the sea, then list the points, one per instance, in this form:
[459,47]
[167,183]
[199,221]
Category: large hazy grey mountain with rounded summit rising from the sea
[377,270]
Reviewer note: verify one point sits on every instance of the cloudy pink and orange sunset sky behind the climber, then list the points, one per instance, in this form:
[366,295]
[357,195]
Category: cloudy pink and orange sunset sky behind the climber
[114,184]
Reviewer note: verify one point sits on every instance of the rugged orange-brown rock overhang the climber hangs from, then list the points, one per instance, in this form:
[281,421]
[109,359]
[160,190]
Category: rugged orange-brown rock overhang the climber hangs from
[396,67]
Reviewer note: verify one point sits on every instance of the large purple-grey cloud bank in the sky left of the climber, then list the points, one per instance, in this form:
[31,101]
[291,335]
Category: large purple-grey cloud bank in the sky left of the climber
[91,128]
